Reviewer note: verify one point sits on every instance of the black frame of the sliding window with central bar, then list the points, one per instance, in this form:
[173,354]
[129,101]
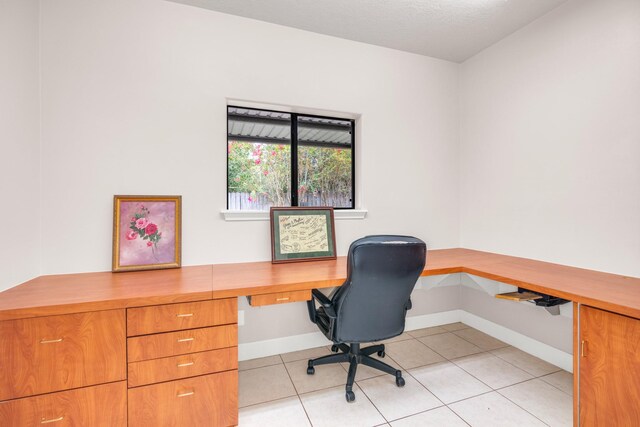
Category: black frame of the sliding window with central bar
[294,153]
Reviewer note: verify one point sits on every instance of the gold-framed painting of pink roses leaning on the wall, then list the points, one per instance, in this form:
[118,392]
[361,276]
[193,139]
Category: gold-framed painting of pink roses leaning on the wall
[146,232]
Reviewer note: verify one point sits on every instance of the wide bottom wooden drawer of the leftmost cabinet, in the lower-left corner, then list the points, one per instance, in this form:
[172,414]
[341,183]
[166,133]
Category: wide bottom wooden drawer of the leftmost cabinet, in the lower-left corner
[102,405]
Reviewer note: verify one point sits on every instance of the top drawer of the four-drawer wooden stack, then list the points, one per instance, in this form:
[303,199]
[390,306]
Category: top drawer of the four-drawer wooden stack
[175,317]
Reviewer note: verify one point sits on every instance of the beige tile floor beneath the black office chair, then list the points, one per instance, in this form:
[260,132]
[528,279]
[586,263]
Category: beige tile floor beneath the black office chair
[455,376]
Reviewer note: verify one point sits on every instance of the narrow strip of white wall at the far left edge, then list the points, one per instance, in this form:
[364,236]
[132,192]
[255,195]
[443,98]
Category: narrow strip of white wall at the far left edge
[19,142]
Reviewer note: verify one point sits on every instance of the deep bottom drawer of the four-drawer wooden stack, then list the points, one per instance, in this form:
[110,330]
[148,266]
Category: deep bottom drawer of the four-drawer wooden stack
[210,400]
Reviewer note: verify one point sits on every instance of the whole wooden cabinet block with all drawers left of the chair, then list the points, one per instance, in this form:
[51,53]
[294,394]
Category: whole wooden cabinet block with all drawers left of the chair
[179,366]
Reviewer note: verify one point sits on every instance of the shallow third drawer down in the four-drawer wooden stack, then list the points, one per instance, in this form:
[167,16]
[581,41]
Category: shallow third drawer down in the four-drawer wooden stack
[188,365]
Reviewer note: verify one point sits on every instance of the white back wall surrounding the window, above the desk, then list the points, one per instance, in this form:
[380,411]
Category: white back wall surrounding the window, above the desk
[134,98]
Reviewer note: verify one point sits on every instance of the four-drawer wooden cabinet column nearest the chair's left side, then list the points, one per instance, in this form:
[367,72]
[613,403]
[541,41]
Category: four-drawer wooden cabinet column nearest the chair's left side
[184,369]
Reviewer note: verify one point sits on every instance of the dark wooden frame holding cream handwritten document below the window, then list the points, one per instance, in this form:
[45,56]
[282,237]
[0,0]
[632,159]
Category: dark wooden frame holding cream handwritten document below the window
[302,234]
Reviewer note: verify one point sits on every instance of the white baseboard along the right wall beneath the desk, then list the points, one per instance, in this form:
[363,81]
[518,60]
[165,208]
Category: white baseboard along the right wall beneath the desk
[536,348]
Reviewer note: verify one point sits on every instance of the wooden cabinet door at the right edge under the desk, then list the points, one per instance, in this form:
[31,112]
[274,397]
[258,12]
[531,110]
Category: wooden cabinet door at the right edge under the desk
[609,369]
